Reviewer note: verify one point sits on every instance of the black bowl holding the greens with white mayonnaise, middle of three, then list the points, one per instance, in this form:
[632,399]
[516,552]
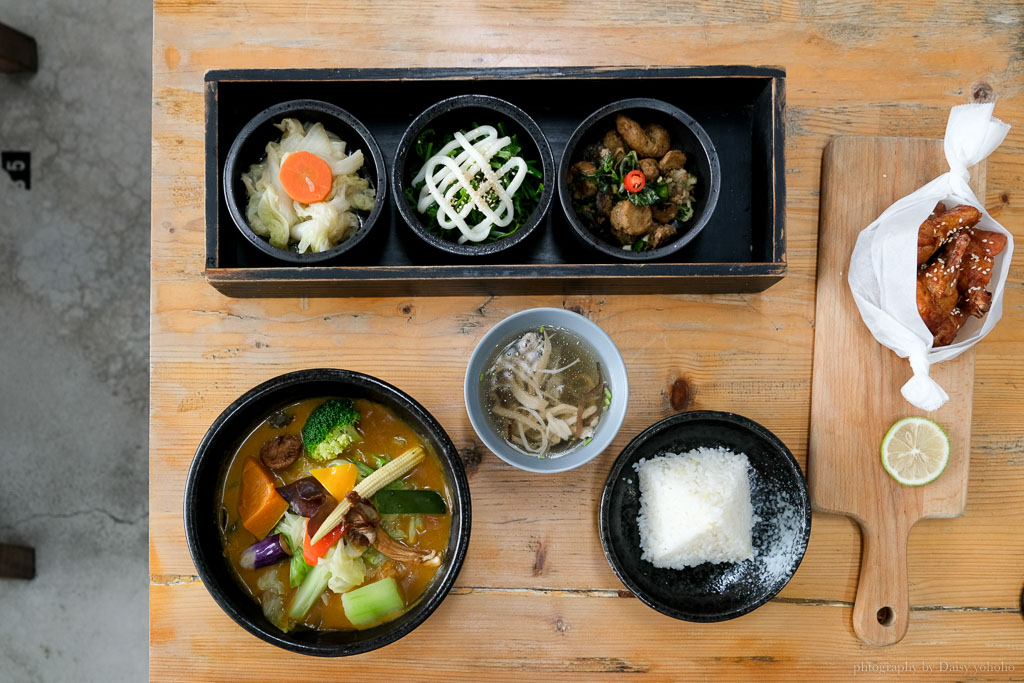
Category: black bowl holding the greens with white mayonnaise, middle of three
[457,114]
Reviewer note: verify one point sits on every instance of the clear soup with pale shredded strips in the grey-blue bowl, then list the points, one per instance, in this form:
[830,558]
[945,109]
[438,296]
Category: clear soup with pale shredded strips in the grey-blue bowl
[544,392]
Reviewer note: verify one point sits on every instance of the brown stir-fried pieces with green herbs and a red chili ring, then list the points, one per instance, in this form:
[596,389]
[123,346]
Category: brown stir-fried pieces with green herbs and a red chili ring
[631,188]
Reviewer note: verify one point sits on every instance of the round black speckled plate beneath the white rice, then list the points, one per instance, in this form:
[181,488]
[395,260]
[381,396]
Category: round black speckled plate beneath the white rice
[711,592]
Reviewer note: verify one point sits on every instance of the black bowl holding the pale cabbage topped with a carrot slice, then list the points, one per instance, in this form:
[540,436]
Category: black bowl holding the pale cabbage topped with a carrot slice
[250,147]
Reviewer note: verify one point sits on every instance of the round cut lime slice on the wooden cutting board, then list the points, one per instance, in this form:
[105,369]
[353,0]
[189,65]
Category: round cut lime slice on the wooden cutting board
[916,451]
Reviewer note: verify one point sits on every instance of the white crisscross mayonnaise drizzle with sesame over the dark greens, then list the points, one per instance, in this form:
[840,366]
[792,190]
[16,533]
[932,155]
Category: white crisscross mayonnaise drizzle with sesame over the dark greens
[445,177]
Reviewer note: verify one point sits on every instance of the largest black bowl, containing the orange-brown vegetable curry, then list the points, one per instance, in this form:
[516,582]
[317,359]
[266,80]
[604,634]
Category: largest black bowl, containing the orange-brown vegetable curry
[207,473]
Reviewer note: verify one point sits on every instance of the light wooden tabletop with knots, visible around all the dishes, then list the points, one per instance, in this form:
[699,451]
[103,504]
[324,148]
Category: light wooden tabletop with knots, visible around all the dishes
[536,599]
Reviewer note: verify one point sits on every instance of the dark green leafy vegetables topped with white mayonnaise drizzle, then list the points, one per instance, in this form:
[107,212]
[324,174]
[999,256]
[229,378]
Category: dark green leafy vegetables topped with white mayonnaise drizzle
[446,165]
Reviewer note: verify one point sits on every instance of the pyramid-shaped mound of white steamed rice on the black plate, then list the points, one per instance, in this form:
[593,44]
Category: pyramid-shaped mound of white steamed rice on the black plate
[695,508]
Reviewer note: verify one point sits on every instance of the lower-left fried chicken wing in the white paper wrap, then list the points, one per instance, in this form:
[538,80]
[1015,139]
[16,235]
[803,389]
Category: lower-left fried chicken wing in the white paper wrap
[938,294]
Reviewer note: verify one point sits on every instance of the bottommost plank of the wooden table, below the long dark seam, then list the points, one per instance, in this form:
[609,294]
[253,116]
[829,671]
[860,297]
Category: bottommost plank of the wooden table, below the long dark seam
[509,635]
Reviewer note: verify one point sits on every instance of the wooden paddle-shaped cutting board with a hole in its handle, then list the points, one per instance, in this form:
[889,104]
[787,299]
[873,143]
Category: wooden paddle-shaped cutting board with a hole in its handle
[856,396]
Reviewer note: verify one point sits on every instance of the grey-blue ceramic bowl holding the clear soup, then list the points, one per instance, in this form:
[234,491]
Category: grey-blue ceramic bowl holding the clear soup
[613,367]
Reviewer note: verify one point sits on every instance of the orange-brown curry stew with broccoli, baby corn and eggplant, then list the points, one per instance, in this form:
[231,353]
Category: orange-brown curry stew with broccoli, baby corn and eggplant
[350,472]
